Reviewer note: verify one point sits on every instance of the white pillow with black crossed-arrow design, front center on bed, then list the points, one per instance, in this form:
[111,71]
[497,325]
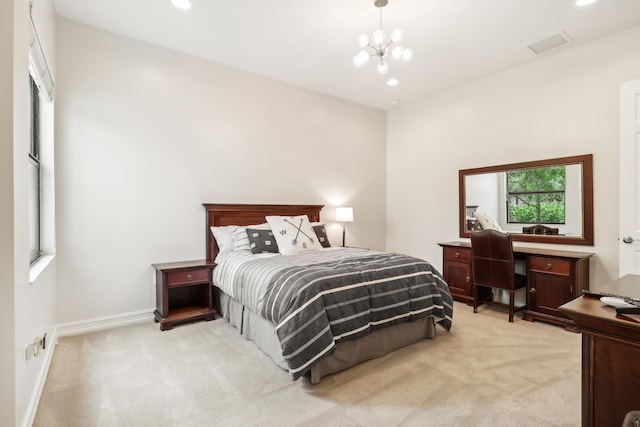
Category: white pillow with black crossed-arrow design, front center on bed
[293,234]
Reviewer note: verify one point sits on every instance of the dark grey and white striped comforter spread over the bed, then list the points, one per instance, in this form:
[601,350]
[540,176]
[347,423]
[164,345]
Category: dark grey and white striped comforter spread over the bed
[318,299]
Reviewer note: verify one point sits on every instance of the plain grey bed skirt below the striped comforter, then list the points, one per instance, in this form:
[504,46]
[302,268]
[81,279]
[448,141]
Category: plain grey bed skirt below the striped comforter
[347,354]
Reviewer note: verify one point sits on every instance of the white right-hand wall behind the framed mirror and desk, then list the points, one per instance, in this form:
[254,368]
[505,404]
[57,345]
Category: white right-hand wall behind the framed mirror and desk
[562,105]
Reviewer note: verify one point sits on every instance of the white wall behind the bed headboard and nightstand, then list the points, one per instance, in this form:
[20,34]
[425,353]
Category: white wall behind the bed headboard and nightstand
[145,135]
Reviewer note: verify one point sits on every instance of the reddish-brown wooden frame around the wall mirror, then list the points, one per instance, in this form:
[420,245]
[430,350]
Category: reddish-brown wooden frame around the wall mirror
[587,198]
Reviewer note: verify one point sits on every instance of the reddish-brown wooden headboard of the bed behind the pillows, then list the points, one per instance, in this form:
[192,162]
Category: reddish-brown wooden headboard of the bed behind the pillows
[219,215]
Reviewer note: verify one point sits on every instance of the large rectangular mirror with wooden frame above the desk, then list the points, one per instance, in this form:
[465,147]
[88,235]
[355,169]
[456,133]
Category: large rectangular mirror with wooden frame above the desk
[557,209]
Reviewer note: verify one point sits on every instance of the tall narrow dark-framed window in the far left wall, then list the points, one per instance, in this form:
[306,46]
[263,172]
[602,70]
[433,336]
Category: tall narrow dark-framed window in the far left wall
[34,175]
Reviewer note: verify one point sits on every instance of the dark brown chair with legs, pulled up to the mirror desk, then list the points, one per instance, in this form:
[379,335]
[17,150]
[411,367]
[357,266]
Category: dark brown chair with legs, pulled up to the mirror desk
[493,266]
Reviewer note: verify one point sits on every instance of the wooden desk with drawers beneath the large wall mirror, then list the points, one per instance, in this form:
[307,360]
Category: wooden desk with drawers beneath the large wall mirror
[553,278]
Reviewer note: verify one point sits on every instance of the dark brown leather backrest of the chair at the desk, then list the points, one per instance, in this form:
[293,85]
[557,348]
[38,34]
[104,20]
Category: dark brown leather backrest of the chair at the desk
[492,259]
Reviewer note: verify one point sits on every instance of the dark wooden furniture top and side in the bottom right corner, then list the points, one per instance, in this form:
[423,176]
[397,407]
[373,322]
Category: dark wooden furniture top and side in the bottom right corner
[610,356]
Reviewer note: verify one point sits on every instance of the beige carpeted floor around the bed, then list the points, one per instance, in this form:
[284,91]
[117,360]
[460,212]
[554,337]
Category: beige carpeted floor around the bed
[486,372]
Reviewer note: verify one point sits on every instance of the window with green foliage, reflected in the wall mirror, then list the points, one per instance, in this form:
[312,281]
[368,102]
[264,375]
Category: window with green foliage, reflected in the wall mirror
[537,195]
